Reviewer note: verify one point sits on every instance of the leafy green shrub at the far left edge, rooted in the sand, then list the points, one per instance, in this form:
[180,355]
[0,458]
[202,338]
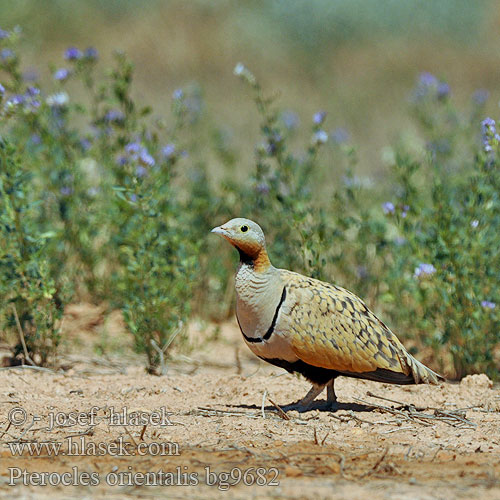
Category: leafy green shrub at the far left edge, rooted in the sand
[31,301]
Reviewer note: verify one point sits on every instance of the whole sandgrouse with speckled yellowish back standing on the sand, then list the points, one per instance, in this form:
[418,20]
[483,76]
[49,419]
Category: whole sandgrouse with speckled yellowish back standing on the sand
[305,325]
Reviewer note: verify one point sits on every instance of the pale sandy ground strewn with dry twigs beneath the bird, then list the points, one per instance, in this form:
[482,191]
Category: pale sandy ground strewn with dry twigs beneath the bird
[208,428]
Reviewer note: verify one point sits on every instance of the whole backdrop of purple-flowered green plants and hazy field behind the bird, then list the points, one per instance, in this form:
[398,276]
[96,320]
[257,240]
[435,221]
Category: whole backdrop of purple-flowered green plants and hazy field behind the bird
[368,151]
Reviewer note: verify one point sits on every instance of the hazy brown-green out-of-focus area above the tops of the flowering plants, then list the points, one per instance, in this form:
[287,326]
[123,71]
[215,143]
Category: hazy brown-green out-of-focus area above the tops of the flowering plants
[357,60]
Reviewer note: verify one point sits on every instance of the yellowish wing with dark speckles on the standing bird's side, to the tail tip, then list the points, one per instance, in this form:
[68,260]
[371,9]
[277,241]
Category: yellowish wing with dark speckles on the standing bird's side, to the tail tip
[332,328]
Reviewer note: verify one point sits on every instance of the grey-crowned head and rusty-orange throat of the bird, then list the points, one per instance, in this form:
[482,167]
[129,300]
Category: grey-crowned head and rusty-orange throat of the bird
[248,238]
